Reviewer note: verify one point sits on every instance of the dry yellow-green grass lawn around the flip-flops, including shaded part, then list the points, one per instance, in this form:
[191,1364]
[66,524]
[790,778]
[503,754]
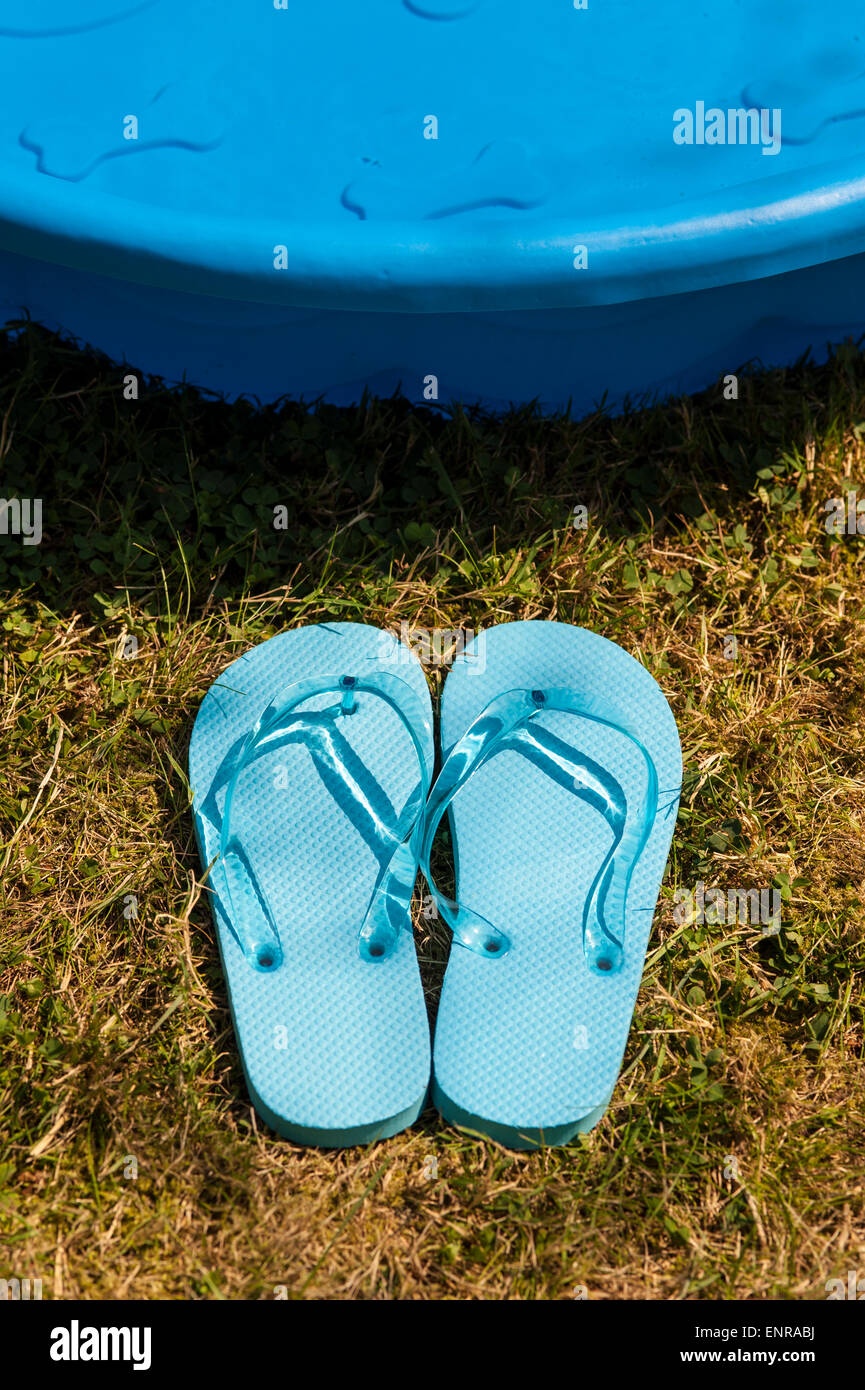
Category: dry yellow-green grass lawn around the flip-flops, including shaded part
[731,1163]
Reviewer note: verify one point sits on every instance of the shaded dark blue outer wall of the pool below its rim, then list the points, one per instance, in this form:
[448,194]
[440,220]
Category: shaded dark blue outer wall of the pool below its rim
[561,358]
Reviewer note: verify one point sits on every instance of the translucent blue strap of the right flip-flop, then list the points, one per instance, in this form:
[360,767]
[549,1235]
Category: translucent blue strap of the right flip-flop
[508,722]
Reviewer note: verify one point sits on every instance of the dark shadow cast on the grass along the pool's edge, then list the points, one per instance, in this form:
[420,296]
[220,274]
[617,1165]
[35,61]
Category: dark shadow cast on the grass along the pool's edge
[177,493]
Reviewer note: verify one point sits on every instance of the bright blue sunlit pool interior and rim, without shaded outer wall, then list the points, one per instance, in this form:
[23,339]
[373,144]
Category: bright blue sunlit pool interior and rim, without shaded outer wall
[432,156]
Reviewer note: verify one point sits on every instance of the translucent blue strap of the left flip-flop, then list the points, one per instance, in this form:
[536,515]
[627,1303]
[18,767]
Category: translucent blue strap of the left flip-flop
[396,842]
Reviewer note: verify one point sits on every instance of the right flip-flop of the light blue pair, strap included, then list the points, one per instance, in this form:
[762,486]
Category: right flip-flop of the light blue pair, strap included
[563,772]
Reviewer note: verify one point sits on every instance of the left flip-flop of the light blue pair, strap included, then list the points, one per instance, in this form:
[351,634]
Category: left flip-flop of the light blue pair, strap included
[311,764]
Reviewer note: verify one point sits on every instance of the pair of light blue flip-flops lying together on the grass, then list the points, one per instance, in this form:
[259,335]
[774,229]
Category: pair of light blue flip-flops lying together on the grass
[312,767]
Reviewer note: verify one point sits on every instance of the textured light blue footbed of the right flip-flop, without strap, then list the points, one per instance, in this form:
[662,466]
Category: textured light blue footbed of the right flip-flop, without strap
[533,1042]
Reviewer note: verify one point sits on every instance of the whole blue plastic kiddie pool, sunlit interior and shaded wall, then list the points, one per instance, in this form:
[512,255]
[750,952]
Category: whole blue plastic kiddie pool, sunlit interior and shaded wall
[489,201]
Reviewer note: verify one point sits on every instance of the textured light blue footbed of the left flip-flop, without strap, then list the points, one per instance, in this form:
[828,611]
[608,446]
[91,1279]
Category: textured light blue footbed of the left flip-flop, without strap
[336,1050]
